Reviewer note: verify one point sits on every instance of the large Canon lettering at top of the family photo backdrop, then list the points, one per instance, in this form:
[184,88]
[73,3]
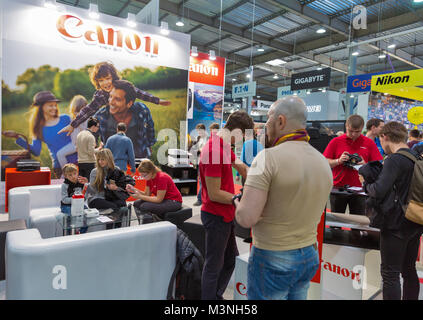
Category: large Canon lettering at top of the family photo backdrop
[73,28]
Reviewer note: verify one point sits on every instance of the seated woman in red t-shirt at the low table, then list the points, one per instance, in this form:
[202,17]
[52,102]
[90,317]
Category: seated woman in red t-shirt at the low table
[161,194]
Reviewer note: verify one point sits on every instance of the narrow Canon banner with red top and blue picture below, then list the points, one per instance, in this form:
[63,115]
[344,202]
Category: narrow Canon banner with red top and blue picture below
[205,91]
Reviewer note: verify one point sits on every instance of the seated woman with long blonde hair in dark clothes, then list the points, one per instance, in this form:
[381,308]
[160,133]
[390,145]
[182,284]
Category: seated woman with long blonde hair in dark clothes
[99,184]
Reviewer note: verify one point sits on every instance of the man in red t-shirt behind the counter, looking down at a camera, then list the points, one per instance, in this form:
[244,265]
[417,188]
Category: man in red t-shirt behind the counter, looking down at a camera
[337,154]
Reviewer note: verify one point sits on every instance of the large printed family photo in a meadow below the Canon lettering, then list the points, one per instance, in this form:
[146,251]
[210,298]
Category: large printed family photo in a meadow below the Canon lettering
[52,124]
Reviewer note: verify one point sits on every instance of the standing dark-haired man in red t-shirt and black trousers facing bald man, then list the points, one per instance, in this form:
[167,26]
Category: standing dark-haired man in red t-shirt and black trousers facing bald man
[217,211]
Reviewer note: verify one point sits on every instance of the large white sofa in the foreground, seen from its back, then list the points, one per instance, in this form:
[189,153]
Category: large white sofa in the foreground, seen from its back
[125,263]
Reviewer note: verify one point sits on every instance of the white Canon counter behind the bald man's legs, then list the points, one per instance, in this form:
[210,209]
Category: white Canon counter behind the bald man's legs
[349,261]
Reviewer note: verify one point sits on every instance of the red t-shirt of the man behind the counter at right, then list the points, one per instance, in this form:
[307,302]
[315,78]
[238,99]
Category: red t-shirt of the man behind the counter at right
[365,147]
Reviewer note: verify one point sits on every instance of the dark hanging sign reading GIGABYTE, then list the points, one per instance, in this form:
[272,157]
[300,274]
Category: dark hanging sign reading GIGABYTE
[311,80]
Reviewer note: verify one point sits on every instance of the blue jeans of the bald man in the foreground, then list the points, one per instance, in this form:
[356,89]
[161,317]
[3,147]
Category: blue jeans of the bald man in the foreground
[281,275]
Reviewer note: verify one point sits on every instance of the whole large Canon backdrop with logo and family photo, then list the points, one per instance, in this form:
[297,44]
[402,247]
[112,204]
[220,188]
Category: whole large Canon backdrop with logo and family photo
[62,55]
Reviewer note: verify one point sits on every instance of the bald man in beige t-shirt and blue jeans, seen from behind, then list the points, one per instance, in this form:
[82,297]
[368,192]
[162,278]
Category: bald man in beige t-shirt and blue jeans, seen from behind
[284,196]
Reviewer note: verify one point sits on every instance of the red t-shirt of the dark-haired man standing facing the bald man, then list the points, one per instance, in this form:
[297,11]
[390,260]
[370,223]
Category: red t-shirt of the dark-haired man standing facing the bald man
[216,161]
